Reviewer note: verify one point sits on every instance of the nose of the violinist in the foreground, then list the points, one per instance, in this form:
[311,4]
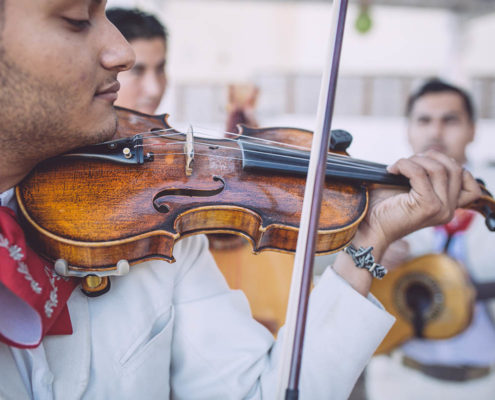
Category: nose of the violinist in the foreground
[116,54]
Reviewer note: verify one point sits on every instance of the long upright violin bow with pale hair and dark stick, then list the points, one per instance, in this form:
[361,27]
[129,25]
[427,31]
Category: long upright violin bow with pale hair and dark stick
[290,365]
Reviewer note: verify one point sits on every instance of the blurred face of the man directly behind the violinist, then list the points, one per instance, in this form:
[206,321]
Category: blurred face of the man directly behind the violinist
[142,87]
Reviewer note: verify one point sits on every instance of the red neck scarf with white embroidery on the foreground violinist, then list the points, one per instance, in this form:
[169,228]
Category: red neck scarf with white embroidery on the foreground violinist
[33,297]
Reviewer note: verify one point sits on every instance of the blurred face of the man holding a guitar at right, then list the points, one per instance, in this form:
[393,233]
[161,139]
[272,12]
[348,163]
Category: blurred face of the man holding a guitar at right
[439,121]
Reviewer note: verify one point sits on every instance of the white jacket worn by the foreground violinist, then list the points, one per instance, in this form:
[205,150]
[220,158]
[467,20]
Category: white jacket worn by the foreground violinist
[177,331]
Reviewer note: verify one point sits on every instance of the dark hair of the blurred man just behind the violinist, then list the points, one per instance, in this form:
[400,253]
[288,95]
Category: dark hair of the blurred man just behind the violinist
[136,24]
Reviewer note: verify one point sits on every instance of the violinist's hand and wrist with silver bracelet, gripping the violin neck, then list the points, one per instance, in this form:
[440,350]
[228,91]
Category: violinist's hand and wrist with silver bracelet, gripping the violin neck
[438,186]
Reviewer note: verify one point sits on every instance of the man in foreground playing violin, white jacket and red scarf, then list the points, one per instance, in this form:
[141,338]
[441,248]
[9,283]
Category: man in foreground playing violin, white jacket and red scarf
[164,330]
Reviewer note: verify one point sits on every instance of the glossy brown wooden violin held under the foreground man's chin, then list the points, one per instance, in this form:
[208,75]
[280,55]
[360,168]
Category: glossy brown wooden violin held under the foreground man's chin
[138,194]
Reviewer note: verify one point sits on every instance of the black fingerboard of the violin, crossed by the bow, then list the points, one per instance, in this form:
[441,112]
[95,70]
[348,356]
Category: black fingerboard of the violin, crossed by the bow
[285,160]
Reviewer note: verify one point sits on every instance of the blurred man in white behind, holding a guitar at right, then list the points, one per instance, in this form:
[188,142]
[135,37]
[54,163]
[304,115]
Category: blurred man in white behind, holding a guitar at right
[441,117]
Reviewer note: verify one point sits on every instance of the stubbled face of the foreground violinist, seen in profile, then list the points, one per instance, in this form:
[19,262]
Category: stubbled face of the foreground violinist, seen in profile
[59,61]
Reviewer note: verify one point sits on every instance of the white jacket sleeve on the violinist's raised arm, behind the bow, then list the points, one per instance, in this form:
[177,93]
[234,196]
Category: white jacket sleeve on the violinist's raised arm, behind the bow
[220,352]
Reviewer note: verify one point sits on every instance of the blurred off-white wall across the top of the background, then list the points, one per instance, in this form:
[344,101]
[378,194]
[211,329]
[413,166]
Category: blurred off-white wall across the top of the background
[229,40]
